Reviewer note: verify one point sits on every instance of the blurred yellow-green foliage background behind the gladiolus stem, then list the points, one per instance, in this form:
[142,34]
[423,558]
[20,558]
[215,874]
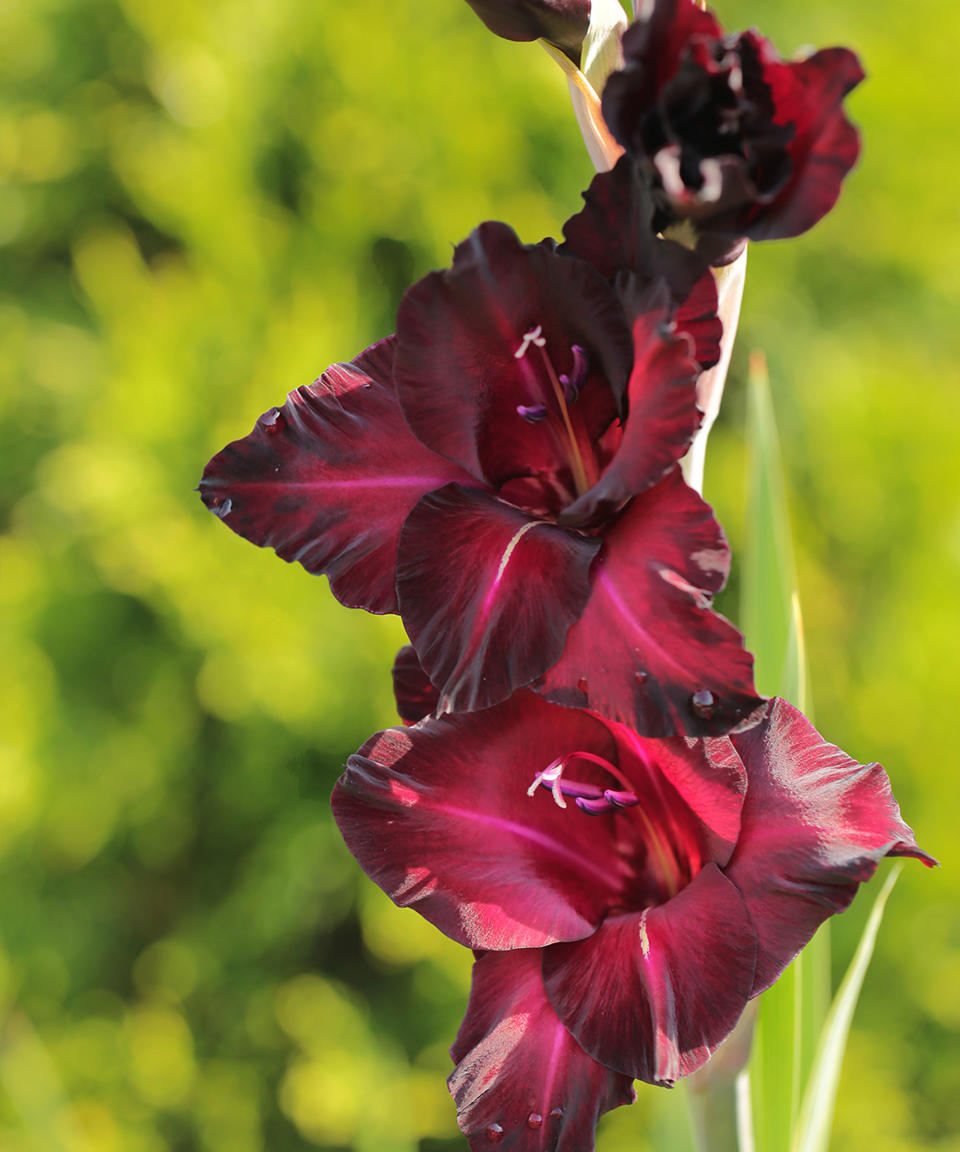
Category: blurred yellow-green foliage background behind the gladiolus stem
[202,206]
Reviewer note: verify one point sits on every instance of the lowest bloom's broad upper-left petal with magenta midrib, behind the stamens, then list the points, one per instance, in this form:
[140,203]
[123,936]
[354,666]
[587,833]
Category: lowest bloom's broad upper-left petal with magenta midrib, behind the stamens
[441,818]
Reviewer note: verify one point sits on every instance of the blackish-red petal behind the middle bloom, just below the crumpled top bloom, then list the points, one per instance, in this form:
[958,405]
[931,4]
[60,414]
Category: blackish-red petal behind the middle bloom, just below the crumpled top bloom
[615,233]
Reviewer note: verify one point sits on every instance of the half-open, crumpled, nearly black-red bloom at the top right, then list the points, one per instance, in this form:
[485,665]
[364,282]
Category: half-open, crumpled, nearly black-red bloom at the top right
[731,137]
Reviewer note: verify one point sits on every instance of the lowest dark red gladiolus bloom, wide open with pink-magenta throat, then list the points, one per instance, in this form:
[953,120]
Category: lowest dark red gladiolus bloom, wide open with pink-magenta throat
[628,897]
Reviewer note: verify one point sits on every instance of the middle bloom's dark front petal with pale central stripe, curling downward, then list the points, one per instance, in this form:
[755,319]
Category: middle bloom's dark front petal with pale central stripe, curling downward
[488,594]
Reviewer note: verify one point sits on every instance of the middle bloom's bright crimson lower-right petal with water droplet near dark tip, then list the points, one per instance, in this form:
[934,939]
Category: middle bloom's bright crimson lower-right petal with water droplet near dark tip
[648,650]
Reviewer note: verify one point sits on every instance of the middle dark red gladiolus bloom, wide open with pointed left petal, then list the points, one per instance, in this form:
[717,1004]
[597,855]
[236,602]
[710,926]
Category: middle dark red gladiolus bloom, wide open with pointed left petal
[504,469]
